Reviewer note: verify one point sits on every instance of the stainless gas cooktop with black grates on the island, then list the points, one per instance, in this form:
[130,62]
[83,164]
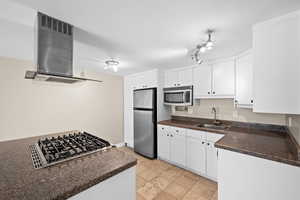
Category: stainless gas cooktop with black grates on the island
[52,150]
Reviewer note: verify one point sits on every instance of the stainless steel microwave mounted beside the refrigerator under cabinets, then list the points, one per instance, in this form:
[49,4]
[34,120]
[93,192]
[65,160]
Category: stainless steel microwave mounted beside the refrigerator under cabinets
[179,96]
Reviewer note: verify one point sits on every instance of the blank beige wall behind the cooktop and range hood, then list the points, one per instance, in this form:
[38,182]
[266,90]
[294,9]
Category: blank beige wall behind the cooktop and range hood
[30,108]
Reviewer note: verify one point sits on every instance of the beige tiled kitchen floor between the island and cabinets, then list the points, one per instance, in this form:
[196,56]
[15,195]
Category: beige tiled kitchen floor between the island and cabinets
[159,180]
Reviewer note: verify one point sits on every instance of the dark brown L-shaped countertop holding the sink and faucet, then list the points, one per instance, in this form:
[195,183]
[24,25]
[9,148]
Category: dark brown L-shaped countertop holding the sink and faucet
[270,142]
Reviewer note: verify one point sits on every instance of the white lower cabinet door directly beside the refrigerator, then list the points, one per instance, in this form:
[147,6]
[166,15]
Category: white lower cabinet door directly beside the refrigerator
[163,142]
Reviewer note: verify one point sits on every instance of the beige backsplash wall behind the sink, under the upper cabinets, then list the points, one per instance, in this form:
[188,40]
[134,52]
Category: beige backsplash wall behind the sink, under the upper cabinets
[227,111]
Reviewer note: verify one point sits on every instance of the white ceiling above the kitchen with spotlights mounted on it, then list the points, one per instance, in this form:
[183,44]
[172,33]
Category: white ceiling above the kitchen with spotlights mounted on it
[144,34]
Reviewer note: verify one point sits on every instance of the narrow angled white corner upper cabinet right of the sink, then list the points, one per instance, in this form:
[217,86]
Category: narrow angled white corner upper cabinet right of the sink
[244,81]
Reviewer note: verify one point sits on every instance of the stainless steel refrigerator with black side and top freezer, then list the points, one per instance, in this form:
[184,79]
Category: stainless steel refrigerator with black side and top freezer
[145,119]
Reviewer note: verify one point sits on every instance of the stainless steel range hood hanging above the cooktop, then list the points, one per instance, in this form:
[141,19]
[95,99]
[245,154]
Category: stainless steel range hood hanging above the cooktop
[54,52]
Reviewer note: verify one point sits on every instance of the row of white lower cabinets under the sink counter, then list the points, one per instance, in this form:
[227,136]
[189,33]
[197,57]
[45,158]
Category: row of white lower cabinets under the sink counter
[191,149]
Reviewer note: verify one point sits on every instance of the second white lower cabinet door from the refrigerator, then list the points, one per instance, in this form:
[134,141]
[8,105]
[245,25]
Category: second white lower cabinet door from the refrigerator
[178,148]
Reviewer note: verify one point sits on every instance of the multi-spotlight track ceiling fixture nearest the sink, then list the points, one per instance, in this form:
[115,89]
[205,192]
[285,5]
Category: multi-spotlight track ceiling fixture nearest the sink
[202,48]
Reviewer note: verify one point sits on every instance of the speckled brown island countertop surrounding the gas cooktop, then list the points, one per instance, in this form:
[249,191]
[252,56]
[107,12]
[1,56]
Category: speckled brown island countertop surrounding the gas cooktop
[19,180]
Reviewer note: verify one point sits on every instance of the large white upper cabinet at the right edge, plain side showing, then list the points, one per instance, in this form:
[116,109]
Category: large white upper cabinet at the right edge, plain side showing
[276,65]
